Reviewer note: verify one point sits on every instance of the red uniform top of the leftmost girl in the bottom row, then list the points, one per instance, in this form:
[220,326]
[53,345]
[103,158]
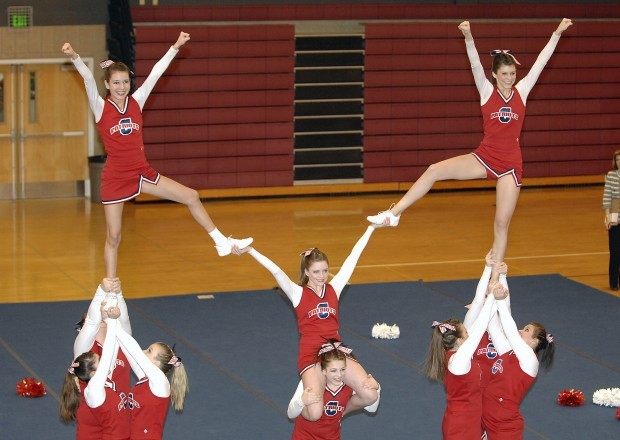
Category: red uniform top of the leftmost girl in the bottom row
[109,421]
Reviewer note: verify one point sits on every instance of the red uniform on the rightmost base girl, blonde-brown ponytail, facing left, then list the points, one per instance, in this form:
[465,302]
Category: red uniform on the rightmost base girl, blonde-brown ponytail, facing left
[502,397]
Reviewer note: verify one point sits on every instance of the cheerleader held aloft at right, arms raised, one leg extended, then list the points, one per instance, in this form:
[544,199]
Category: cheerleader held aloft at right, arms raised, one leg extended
[499,154]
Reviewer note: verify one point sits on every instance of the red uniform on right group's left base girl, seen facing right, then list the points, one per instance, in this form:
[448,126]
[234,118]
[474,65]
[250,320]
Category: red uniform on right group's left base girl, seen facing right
[462,419]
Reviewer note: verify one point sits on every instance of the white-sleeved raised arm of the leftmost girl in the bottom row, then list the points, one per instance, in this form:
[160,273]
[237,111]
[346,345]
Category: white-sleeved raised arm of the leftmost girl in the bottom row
[94,394]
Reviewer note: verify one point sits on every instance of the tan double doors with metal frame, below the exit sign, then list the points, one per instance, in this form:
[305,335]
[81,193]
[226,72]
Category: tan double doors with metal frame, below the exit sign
[45,130]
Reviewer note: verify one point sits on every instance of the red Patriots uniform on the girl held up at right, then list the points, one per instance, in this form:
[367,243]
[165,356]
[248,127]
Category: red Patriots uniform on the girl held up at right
[500,151]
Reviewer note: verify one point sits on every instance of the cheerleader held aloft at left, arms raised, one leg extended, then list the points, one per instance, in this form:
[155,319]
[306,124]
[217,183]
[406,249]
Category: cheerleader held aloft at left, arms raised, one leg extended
[127,172]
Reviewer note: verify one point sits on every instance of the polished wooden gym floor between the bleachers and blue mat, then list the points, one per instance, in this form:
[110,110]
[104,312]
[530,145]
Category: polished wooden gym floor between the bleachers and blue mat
[52,250]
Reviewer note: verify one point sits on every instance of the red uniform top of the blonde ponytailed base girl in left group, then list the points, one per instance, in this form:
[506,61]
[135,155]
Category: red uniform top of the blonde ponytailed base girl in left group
[148,412]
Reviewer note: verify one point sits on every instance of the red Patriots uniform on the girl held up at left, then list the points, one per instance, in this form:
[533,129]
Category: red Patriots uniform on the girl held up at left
[126,165]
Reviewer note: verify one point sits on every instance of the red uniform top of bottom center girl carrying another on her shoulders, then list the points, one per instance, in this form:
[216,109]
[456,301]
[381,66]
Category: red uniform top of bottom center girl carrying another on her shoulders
[328,426]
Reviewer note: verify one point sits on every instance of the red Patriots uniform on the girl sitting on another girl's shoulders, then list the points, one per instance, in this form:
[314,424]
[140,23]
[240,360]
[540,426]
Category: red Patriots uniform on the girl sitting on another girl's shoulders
[317,321]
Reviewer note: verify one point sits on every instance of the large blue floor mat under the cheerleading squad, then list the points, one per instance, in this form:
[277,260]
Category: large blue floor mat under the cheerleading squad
[240,353]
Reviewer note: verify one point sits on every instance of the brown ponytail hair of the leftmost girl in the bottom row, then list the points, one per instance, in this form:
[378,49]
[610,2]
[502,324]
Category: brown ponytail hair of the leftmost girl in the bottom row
[71,394]
